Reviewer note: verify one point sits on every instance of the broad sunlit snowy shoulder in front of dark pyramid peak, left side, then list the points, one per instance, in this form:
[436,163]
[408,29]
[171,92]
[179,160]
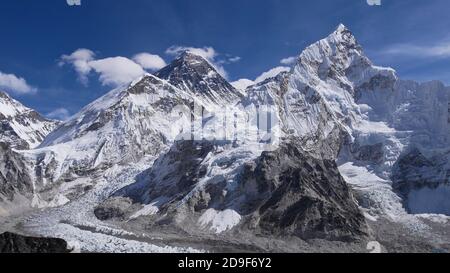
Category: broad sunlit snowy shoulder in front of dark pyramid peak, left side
[124,126]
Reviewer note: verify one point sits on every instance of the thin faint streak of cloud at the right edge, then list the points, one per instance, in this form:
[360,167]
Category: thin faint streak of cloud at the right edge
[439,50]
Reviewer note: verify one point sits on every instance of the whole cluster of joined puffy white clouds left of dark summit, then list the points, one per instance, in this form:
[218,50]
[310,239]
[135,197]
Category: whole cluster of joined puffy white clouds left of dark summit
[112,71]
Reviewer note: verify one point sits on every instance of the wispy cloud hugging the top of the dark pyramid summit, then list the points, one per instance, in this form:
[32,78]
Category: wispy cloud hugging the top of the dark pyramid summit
[208,53]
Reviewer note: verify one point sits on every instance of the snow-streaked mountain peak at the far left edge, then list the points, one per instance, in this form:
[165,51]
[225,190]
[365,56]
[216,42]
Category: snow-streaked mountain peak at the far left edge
[22,127]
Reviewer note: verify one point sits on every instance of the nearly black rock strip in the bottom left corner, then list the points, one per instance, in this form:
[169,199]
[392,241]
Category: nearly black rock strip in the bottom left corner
[14,243]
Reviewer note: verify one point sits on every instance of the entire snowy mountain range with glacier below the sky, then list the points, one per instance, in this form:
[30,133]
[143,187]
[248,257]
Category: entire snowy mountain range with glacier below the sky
[335,151]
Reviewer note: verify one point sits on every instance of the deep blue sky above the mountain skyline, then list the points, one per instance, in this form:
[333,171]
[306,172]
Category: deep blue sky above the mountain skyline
[244,38]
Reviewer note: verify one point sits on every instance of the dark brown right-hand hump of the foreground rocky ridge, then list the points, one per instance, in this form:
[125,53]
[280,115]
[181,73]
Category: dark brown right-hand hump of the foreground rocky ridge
[297,194]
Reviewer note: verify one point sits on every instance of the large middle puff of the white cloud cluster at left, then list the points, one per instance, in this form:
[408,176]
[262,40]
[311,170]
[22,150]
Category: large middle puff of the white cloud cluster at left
[116,70]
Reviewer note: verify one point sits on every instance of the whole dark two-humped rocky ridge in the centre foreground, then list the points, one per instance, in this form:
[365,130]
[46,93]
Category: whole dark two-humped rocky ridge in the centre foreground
[285,192]
